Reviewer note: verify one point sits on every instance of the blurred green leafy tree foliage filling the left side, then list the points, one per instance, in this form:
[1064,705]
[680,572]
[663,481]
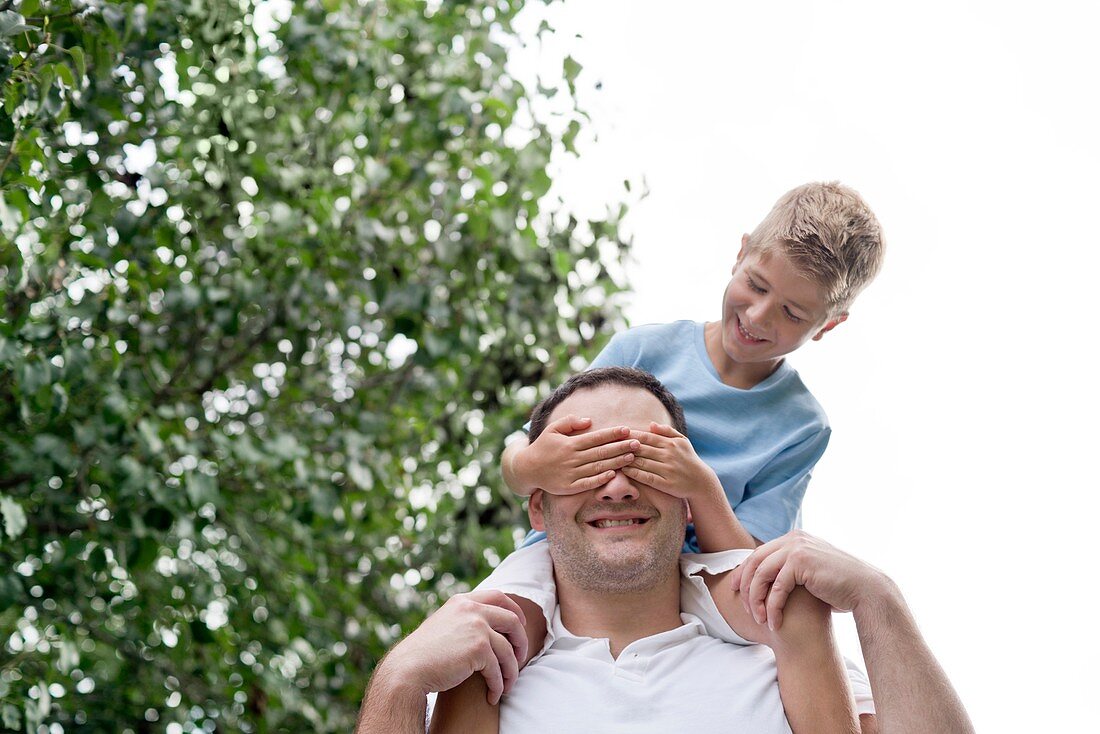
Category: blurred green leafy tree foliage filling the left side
[278,280]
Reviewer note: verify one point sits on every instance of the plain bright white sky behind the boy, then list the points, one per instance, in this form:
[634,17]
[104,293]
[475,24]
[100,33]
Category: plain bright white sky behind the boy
[960,391]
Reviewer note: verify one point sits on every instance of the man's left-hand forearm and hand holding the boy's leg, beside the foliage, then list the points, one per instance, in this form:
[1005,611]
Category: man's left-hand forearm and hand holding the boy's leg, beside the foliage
[477,633]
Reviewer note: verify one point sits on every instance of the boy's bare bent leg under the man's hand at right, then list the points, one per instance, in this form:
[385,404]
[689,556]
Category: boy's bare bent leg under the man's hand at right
[813,683]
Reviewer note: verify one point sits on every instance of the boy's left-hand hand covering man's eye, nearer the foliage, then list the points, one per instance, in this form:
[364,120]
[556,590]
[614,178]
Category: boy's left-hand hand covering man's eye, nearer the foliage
[562,463]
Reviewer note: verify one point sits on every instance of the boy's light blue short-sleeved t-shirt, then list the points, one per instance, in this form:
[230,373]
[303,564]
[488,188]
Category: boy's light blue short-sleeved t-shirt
[763,442]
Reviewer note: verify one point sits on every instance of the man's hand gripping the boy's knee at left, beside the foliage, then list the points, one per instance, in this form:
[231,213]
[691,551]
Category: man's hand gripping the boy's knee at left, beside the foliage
[481,632]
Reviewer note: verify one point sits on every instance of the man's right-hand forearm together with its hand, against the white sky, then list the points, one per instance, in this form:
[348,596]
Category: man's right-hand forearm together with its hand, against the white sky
[912,693]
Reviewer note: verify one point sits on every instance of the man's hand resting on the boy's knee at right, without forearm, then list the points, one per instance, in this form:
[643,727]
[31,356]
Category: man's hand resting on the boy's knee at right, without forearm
[768,577]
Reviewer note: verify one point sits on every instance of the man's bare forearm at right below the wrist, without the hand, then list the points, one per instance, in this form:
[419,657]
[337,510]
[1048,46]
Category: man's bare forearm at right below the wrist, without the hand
[912,693]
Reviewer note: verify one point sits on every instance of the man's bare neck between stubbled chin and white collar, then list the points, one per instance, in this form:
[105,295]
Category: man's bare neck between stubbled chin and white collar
[622,618]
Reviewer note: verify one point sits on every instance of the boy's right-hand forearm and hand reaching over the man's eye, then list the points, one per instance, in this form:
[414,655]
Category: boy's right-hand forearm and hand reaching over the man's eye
[667,462]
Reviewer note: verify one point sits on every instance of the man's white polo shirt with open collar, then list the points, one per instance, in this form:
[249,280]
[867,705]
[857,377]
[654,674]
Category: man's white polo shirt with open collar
[681,680]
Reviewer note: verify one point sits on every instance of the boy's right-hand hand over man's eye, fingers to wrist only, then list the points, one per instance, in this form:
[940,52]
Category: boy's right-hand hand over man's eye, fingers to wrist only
[667,462]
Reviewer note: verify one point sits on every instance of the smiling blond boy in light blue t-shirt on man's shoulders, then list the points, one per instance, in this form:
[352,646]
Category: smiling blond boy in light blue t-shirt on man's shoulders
[755,428]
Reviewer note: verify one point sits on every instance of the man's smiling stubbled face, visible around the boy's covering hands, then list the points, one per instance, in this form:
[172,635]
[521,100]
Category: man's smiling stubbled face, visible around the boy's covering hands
[623,536]
